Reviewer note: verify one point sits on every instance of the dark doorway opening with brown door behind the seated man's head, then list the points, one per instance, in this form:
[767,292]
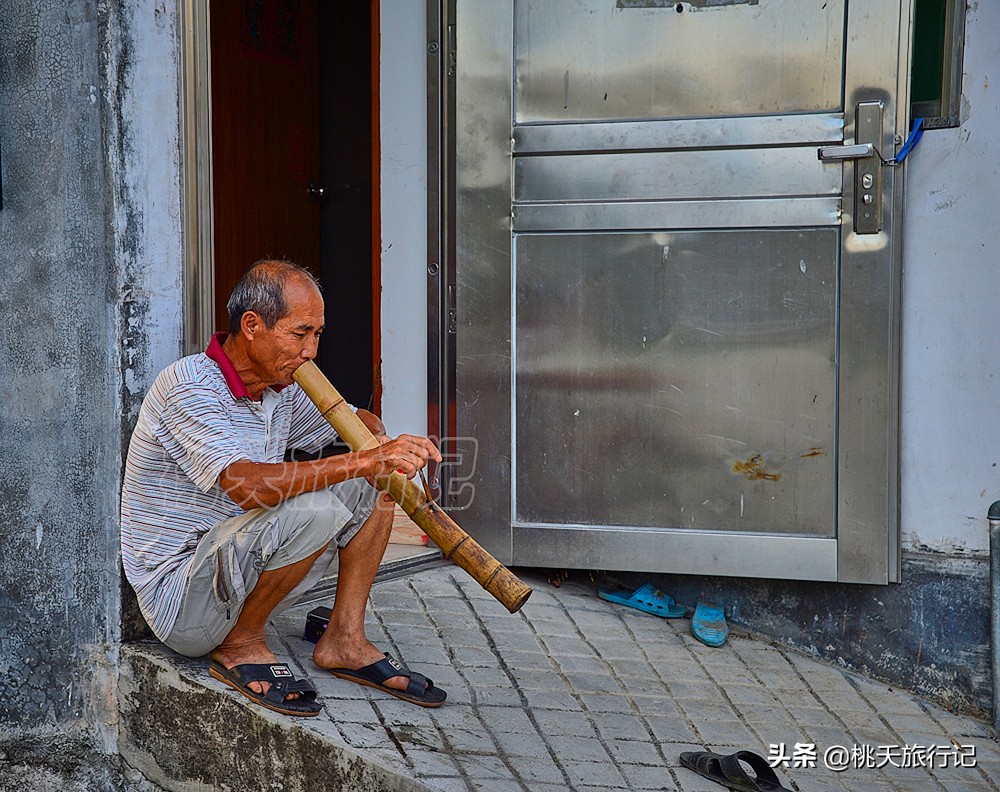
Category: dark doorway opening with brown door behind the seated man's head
[292,163]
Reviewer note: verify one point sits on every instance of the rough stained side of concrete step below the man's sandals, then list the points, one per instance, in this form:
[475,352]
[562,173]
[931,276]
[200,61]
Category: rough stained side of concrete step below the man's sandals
[186,734]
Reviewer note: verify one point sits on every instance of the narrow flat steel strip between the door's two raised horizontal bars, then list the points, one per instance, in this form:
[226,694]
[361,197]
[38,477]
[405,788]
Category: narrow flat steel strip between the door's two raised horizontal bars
[639,176]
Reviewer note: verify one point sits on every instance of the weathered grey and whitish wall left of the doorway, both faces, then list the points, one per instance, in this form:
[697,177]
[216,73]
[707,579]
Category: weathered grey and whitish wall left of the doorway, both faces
[85,224]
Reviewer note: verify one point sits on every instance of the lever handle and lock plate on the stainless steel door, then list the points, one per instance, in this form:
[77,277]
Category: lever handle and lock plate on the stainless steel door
[867,169]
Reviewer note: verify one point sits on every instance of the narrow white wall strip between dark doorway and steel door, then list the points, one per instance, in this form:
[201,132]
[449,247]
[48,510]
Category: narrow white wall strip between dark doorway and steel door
[403,111]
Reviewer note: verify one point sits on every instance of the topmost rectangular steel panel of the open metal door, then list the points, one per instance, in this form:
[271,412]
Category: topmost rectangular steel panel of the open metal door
[598,61]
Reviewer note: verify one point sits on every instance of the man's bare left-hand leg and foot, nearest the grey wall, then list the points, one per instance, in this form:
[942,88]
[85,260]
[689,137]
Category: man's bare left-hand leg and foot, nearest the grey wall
[246,643]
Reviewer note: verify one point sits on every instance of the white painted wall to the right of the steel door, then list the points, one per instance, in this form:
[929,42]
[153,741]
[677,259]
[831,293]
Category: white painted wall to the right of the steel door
[950,389]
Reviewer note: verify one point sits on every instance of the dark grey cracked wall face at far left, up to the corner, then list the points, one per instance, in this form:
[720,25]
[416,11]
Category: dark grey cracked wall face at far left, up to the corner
[59,428]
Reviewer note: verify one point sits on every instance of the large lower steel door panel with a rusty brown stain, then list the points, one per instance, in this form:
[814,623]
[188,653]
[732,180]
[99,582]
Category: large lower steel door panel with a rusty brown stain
[677,379]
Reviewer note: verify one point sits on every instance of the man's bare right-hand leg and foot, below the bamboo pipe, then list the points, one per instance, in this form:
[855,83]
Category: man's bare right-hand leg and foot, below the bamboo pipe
[344,643]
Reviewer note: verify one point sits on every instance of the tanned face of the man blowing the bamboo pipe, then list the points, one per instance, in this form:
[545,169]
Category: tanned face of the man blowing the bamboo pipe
[294,339]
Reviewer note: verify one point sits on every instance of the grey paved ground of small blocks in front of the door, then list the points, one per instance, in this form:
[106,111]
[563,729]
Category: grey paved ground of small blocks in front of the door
[575,693]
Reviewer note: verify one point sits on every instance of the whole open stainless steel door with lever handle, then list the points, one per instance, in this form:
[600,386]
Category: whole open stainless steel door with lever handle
[676,337]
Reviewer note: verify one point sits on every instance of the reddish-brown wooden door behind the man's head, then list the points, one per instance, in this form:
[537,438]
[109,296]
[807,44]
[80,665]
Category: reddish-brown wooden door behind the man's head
[265,136]
